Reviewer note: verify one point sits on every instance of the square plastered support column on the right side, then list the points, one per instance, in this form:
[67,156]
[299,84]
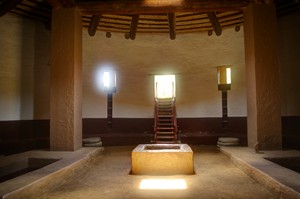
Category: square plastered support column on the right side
[262,76]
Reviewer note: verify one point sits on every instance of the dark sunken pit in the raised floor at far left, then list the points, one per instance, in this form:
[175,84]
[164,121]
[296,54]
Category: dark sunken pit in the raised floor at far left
[20,167]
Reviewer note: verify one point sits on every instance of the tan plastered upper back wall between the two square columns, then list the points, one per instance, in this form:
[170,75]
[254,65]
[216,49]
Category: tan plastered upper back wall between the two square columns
[193,58]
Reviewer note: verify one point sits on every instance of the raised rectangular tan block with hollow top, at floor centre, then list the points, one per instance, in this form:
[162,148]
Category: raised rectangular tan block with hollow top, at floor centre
[162,159]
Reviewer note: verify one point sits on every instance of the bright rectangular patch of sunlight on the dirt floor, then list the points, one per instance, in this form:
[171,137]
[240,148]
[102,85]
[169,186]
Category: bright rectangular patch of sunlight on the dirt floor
[163,184]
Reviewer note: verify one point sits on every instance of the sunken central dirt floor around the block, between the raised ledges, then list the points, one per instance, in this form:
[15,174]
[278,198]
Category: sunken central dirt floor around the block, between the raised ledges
[108,176]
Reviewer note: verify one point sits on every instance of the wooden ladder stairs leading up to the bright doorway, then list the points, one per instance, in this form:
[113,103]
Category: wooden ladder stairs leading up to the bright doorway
[165,122]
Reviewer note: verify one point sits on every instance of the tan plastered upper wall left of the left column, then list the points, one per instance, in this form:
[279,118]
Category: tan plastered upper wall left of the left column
[24,69]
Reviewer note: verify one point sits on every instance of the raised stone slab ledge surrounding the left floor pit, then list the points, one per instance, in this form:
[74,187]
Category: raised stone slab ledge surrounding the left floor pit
[32,184]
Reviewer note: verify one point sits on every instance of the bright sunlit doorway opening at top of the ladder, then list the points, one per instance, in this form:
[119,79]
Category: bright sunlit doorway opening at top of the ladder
[164,86]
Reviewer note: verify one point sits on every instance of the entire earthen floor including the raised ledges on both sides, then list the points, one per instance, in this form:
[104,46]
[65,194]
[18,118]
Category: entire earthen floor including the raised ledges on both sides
[229,172]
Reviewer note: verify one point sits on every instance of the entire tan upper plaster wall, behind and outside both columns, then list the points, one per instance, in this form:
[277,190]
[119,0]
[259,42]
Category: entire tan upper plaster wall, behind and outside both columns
[25,71]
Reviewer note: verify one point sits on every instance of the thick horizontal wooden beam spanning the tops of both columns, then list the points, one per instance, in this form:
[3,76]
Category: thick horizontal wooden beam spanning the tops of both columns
[158,6]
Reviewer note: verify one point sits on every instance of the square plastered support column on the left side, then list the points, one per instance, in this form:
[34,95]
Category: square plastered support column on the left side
[66,80]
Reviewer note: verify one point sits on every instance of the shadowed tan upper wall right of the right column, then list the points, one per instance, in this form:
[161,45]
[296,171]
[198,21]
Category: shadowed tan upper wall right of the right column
[289,48]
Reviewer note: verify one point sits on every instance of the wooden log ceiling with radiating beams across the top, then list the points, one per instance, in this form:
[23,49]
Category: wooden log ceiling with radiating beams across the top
[133,17]
